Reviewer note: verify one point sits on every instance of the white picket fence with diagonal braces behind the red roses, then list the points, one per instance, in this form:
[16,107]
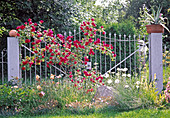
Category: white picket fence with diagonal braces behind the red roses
[131,53]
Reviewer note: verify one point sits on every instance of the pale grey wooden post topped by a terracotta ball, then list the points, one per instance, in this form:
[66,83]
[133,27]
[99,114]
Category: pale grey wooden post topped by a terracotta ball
[13,57]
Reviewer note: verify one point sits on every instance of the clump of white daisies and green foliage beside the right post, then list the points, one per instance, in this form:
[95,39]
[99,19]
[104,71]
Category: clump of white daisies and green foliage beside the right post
[134,93]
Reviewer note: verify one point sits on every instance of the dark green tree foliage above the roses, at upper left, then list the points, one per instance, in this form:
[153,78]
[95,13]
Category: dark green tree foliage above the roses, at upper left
[57,13]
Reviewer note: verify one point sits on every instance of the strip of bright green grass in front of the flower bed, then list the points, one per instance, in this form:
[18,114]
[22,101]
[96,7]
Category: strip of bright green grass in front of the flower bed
[139,113]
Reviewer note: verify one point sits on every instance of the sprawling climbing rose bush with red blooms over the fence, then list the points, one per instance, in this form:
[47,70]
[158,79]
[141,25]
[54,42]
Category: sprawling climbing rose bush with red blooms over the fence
[71,55]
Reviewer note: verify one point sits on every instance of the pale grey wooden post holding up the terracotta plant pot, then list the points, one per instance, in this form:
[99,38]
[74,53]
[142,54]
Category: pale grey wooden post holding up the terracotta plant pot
[155,61]
